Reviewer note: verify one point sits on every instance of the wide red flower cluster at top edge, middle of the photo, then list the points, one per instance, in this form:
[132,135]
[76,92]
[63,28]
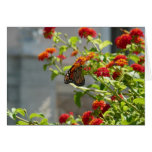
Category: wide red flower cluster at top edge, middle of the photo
[85,32]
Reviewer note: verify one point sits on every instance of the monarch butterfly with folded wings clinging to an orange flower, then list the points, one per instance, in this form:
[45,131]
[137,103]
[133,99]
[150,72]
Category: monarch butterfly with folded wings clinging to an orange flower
[74,75]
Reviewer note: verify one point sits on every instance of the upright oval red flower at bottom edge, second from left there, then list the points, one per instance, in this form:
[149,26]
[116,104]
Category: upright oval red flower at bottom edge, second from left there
[87,117]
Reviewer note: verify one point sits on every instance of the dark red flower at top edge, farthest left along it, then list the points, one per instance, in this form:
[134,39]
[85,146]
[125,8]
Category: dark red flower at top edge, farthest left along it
[48,32]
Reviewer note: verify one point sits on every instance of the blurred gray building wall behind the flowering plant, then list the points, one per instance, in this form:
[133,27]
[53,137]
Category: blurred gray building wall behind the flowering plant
[28,86]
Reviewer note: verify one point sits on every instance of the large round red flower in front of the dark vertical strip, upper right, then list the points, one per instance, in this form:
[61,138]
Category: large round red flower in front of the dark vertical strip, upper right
[122,41]
